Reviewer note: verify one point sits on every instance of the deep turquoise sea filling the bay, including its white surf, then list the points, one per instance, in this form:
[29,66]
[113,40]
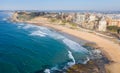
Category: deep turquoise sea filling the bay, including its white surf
[26,48]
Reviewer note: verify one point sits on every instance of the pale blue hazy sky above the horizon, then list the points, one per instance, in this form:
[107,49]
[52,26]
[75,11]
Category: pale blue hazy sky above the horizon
[59,4]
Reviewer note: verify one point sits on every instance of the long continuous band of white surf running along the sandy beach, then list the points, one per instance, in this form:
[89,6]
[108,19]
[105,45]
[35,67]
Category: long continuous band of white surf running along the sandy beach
[43,31]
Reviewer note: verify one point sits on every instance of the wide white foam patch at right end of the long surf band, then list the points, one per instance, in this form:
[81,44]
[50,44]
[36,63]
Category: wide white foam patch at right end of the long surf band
[74,46]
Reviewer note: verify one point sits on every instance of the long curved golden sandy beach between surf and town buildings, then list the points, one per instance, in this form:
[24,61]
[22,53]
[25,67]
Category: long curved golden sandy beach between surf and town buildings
[108,47]
